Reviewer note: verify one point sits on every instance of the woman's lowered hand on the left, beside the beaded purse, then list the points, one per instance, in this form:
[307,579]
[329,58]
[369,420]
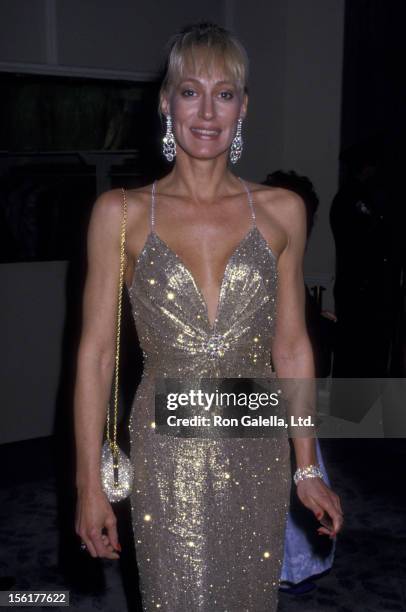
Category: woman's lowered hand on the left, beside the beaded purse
[94,514]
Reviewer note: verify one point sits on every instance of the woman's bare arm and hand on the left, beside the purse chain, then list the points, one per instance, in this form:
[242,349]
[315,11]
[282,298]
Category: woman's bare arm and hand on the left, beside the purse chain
[94,373]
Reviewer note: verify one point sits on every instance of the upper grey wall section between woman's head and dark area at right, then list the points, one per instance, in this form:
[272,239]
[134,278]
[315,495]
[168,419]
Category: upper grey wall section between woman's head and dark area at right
[296,50]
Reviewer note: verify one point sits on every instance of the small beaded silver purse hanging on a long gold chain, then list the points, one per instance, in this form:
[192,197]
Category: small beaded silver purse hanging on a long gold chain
[116,469]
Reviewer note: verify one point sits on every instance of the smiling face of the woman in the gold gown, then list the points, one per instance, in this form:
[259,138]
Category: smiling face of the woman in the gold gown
[205,110]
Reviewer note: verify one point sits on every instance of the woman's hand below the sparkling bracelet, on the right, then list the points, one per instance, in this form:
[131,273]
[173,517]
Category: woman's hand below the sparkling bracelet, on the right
[321,500]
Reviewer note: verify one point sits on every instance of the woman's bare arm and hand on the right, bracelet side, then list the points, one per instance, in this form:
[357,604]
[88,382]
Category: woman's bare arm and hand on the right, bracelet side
[292,353]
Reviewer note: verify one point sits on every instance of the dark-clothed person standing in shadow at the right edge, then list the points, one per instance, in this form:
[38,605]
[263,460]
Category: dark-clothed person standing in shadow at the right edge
[367,220]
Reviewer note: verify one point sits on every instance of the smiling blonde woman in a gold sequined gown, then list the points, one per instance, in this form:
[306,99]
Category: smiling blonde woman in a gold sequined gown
[208,514]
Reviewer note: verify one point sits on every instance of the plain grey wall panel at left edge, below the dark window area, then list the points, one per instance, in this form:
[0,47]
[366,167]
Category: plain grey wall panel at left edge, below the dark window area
[32,314]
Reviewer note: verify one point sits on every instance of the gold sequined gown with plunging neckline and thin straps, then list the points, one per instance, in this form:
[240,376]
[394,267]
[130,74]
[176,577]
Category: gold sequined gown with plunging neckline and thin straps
[208,514]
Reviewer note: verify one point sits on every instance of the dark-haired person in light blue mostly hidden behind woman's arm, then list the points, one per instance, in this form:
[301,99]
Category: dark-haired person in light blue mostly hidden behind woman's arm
[306,556]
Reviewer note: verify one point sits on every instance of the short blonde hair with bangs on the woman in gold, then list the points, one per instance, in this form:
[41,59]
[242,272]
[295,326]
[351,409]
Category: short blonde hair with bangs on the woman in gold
[203,46]
